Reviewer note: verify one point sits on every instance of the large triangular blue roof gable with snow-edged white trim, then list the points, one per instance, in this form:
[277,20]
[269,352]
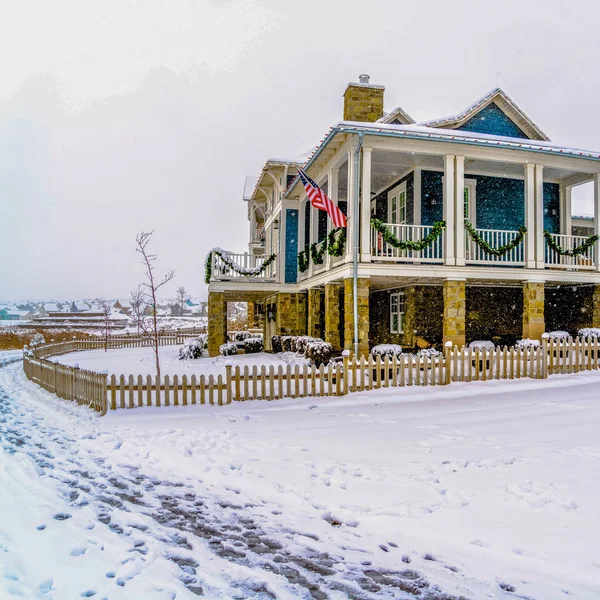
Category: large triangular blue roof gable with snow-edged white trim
[494,114]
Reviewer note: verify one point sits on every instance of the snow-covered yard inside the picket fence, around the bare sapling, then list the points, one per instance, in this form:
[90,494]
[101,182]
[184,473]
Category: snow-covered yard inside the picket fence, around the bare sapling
[140,361]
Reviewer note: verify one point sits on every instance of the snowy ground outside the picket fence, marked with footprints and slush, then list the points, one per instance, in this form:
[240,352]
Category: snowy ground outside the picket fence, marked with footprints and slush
[481,490]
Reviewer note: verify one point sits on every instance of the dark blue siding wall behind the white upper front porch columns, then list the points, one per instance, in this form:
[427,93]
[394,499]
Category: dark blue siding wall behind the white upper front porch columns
[500,202]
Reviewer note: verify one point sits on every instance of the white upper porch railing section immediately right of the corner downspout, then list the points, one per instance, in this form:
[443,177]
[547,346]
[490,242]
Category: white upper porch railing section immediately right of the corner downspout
[381,250]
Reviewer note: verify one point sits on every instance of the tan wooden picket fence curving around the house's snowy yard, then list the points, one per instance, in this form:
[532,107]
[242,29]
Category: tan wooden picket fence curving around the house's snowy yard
[101,393]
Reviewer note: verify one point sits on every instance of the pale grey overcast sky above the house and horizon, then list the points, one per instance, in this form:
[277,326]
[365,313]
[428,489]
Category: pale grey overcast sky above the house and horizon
[121,116]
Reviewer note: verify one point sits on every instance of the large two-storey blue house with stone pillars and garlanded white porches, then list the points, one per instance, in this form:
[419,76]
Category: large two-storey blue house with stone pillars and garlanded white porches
[463,228]
